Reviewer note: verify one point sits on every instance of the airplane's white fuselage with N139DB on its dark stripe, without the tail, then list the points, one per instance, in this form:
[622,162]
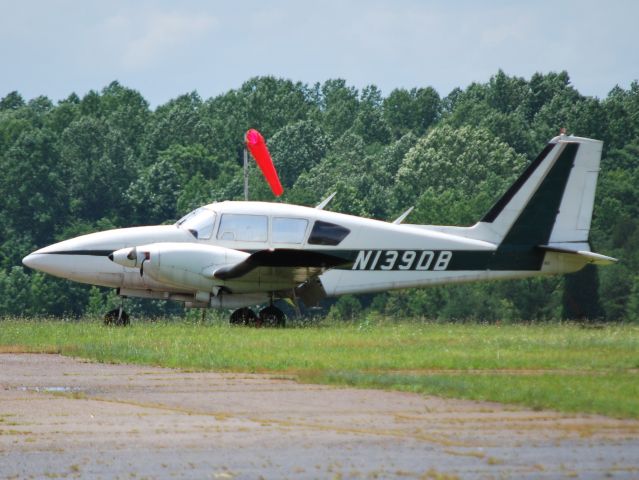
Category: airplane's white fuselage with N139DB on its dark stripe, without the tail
[372,255]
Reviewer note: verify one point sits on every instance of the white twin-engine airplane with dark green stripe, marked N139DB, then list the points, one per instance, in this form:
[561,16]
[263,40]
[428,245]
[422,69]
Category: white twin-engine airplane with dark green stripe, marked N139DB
[240,254]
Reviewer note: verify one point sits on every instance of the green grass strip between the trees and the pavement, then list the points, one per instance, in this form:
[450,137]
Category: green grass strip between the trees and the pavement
[562,367]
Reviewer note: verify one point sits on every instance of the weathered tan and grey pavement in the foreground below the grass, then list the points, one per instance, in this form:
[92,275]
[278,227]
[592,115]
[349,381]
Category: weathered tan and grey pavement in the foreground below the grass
[61,417]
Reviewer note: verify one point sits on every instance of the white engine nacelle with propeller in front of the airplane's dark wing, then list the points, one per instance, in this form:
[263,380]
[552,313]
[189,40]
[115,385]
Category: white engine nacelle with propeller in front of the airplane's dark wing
[184,266]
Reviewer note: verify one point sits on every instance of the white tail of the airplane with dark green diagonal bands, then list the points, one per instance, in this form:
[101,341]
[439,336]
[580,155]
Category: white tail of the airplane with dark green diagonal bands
[549,207]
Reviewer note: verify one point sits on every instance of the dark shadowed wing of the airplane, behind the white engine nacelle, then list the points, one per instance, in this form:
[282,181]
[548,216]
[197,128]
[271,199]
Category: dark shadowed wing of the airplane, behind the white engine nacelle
[278,269]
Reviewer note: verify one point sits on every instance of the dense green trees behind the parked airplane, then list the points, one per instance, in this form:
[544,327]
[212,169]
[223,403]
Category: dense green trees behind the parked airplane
[107,160]
